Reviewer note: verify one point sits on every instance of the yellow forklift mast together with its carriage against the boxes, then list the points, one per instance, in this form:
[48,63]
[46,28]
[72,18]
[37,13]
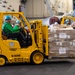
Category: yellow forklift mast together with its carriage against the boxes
[40,35]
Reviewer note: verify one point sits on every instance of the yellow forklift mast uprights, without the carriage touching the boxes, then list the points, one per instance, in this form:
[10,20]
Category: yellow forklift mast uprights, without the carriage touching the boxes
[36,27]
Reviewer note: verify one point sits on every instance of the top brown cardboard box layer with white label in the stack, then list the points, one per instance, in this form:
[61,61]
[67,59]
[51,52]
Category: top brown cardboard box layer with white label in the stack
[62,35]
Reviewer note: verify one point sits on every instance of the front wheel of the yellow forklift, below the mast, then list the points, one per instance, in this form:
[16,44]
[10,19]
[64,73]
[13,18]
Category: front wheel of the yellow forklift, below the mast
[37,58]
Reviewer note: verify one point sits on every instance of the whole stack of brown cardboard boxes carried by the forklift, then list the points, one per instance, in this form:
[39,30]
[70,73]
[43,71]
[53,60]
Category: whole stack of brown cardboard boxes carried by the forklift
[62,42]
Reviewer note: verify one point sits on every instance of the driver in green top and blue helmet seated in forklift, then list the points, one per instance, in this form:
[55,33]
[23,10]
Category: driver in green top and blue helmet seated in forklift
[11,32]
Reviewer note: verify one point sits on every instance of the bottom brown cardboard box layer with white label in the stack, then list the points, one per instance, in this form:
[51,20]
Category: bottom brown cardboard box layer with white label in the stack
[62,51]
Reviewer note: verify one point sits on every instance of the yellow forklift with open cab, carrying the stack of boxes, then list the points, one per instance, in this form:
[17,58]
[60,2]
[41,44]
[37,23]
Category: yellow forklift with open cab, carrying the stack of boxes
[10,50]
